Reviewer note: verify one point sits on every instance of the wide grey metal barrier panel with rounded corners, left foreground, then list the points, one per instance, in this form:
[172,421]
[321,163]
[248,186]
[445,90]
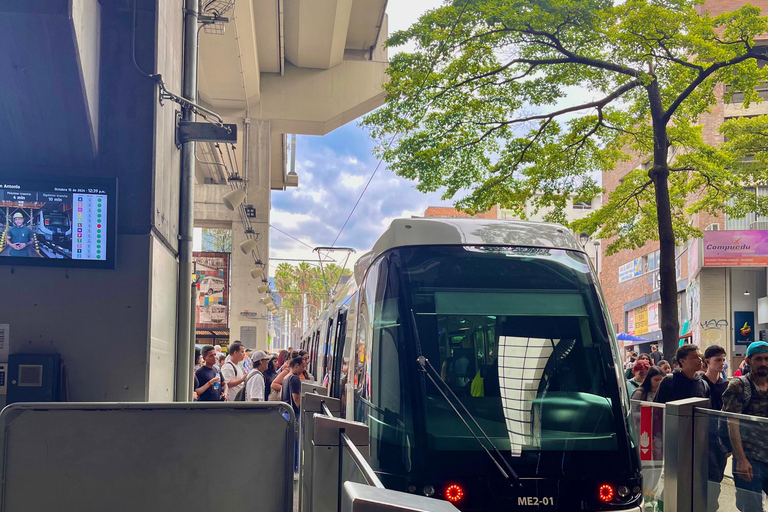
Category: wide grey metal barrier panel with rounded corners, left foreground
[142,456]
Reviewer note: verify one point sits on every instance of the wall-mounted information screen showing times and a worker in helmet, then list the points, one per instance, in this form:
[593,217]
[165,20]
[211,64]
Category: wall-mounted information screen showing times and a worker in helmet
[67,222]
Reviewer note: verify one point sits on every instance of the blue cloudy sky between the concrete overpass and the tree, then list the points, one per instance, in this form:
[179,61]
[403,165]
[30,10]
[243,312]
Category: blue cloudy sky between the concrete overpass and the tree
[333,171]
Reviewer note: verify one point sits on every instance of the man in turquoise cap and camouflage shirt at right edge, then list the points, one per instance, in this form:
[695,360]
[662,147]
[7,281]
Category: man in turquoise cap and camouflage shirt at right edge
[749,395]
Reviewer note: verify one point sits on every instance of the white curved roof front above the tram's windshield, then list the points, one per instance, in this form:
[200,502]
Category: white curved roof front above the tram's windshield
[431,231]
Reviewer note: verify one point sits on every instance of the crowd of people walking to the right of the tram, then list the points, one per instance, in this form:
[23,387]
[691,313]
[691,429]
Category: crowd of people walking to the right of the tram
[696,375]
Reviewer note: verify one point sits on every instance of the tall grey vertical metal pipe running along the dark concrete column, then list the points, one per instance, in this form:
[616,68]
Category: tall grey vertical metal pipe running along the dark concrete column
[184,339]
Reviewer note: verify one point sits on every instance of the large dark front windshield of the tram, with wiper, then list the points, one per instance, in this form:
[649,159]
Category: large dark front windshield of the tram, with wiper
[519,335]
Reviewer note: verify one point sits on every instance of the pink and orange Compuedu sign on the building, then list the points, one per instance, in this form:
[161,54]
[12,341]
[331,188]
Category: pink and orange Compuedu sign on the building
[735,248]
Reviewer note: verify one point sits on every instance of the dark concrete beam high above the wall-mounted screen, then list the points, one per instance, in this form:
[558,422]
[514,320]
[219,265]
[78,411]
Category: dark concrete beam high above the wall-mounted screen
[49,78]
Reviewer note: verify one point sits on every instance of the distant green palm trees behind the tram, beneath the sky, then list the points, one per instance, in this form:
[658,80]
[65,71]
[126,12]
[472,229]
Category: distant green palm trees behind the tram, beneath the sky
[293,281]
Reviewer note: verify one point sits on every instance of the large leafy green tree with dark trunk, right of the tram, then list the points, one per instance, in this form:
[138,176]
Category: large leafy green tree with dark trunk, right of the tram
[485,107]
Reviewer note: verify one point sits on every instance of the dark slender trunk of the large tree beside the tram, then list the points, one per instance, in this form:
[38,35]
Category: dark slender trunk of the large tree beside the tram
[659,174]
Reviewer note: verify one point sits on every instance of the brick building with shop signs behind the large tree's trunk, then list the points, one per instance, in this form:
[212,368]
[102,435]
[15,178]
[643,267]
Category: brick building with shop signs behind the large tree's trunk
[720,282]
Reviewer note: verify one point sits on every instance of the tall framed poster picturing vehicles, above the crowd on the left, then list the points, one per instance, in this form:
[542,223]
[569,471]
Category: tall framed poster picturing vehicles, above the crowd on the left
[212,278]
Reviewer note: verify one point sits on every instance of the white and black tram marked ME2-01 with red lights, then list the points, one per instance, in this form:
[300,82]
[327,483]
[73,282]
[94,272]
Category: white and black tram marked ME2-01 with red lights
[481,356]
